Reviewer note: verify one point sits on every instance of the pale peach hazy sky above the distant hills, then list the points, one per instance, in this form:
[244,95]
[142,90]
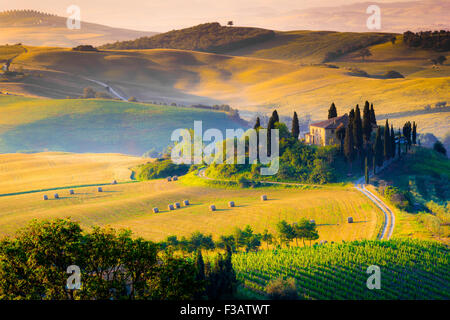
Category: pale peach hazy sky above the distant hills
[164,15]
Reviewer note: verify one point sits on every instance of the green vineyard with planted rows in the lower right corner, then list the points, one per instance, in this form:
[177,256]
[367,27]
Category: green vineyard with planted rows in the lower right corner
[410,269]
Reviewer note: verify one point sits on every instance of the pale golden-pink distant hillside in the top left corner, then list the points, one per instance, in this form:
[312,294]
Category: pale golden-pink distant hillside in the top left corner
[42,29]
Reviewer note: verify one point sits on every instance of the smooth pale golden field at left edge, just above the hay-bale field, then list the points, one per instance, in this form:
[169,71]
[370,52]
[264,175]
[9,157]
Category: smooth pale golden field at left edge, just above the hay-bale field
[26,172]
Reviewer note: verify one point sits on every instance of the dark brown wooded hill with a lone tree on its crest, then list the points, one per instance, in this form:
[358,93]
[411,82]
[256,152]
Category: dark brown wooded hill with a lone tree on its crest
[208,37]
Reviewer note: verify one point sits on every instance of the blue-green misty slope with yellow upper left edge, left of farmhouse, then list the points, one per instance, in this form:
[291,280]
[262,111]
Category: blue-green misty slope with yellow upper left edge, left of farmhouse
[77,125]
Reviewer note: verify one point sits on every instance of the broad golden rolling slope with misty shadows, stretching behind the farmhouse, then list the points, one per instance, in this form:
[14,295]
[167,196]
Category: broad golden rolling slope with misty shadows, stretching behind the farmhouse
[251,83]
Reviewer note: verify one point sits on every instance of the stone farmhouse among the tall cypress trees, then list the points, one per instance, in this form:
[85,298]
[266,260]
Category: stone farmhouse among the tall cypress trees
[323,133]
